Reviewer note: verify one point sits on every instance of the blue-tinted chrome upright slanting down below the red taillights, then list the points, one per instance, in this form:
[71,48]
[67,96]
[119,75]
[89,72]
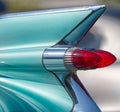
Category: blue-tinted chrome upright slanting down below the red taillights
[83,102]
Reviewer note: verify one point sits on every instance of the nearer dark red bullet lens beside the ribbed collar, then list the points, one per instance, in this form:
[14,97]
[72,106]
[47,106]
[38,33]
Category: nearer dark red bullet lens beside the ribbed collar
[85,59]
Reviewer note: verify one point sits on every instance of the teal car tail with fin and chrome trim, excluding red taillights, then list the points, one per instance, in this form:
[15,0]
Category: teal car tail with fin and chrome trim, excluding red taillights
[26,82]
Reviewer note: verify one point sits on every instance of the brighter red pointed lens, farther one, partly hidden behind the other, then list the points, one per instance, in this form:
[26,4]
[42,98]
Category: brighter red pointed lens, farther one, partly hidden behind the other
[107,58]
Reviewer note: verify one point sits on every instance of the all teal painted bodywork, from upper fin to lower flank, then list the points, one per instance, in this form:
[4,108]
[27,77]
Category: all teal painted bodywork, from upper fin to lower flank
[26,86]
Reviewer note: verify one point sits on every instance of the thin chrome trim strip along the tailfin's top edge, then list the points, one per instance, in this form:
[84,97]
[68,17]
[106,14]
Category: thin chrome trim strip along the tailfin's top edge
[50,11]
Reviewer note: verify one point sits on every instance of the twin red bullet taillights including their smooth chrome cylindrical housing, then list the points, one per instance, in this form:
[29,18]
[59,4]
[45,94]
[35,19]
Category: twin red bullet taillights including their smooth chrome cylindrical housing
[67,59]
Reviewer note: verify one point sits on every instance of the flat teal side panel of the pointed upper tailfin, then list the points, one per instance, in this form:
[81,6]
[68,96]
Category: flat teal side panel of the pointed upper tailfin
[38,29]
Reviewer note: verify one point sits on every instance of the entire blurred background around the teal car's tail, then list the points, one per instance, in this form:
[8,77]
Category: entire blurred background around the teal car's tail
[102,84]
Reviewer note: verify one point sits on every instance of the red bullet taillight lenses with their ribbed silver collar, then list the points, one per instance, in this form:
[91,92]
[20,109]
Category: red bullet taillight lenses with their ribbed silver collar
[88,59]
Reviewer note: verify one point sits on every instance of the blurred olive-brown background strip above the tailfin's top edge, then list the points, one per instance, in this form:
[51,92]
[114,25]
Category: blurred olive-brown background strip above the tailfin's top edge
[24,5]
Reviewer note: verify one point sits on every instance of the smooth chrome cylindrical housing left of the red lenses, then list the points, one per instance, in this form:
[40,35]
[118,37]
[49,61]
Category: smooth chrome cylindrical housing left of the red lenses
[53,59]
